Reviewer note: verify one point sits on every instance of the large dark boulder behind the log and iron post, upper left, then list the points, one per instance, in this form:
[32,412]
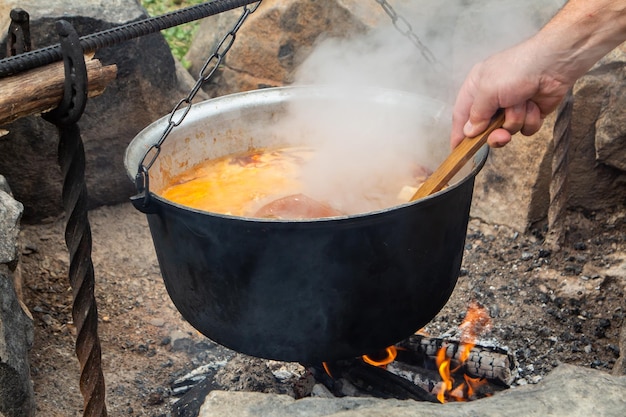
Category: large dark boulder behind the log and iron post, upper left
[148,85]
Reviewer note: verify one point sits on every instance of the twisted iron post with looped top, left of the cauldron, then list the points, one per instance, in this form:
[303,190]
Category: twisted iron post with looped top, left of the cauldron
[81,275]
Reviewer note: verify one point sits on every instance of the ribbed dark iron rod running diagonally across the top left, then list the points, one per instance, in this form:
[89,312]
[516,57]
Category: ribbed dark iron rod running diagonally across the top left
[110,37]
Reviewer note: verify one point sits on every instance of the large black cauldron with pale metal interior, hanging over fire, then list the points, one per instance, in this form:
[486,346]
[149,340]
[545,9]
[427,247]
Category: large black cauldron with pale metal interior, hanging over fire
[305,290]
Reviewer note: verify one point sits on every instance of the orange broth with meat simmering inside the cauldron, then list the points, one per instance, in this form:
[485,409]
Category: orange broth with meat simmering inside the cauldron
[269,183]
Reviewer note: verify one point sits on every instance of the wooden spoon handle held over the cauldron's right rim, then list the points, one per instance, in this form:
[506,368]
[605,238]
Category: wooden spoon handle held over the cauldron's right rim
[457,159]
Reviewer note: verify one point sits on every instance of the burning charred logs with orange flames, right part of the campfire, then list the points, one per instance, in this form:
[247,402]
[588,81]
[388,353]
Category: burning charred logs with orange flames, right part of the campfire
[437,370]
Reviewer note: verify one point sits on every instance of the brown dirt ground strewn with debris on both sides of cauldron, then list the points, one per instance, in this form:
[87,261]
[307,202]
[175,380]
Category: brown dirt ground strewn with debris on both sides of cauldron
[546,306]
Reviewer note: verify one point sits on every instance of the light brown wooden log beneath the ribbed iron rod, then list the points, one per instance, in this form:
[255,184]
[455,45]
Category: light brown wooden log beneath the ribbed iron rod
[41,89]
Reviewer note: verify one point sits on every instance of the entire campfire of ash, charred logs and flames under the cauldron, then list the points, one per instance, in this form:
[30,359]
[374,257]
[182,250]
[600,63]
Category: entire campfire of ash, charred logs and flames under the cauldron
[422,368]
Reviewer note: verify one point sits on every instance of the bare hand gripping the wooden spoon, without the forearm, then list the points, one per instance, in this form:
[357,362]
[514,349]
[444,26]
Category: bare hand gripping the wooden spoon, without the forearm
[522,81]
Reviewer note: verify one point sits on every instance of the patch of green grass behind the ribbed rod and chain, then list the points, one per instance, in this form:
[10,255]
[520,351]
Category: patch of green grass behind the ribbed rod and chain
[178,37]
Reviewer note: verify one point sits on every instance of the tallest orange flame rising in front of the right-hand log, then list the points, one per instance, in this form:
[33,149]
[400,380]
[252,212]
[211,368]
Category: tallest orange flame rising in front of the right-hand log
[475,323]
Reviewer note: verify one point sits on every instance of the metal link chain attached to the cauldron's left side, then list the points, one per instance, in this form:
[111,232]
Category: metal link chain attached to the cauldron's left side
[208,69]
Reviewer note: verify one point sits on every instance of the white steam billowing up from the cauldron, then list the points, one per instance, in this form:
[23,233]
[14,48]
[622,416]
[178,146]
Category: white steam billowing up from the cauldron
[363,150]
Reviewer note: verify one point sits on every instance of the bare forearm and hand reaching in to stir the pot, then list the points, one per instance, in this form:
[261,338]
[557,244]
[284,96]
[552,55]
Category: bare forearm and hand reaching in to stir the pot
[530,79]
